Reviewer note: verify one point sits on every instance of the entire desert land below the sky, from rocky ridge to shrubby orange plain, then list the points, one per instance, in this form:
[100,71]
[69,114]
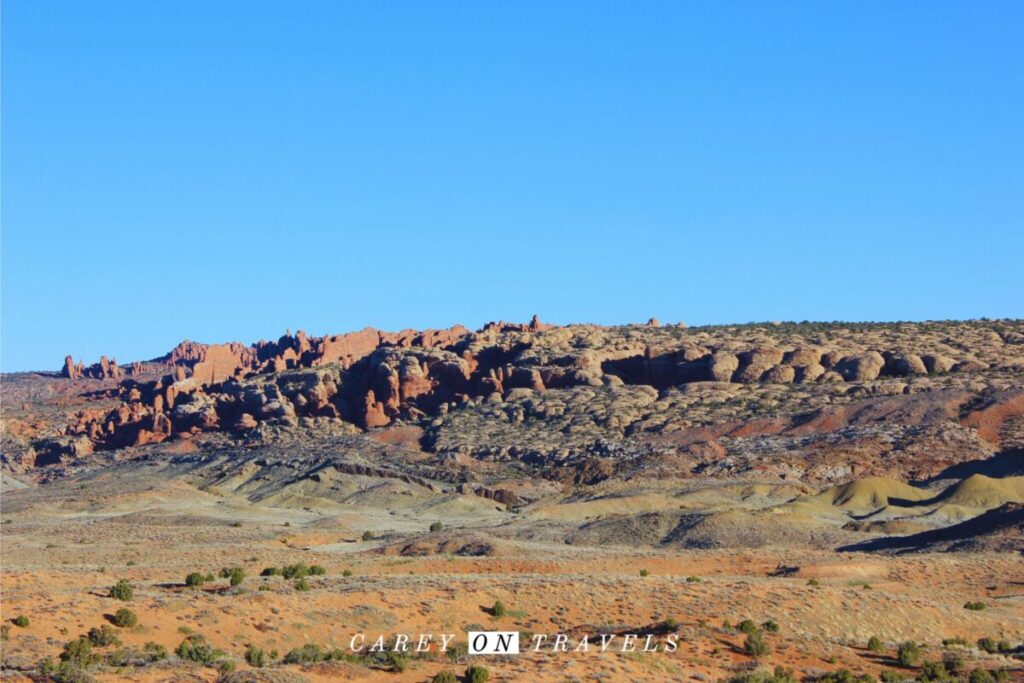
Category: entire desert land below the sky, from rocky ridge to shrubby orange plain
[758,503]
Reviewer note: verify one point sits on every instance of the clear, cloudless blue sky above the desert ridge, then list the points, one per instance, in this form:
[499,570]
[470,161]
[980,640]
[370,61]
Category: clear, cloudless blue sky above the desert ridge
[226,170]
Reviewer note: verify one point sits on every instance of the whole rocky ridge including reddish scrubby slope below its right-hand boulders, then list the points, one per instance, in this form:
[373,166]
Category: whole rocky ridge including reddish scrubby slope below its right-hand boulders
[786,401]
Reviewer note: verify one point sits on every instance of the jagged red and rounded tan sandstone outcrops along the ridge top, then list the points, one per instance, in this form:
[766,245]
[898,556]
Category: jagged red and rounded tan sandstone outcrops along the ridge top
[371,378]
